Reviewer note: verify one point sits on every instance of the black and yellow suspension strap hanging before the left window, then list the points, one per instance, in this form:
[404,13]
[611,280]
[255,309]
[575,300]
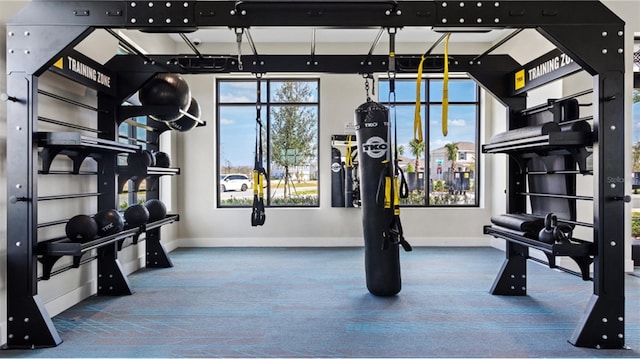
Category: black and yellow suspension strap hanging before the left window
[258,216]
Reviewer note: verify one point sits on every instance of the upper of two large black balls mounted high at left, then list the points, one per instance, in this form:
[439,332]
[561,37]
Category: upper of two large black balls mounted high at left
[163,90]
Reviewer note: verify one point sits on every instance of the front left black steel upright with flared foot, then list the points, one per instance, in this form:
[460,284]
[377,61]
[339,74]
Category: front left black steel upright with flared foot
[28,323]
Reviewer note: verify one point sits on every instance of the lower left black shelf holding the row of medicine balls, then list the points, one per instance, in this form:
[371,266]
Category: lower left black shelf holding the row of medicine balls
[51,250]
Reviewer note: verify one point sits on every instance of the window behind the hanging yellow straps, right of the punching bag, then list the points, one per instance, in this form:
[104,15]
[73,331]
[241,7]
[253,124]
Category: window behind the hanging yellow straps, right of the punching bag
[448,177]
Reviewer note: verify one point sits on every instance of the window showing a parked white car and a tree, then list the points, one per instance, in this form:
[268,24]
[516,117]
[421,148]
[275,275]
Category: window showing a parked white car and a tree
[289,114]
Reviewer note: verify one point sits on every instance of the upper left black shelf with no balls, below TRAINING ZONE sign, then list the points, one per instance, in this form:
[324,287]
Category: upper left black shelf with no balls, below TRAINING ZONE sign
[77,147]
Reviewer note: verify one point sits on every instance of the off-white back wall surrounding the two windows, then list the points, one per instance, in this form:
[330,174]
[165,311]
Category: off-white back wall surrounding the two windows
[202,224]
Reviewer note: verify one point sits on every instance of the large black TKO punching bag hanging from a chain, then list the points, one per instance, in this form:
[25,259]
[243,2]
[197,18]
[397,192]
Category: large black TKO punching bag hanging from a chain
[382,265]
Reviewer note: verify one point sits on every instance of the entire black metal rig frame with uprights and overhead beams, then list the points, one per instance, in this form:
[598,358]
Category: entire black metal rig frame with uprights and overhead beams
[587,31]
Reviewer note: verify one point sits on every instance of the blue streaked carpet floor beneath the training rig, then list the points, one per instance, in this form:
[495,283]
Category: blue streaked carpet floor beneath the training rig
[312,302]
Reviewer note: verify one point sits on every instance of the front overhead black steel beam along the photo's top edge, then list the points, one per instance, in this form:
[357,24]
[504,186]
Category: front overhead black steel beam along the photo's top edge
[185,16]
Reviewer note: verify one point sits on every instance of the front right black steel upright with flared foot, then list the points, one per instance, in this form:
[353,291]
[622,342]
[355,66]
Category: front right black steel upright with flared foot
[602,324]
